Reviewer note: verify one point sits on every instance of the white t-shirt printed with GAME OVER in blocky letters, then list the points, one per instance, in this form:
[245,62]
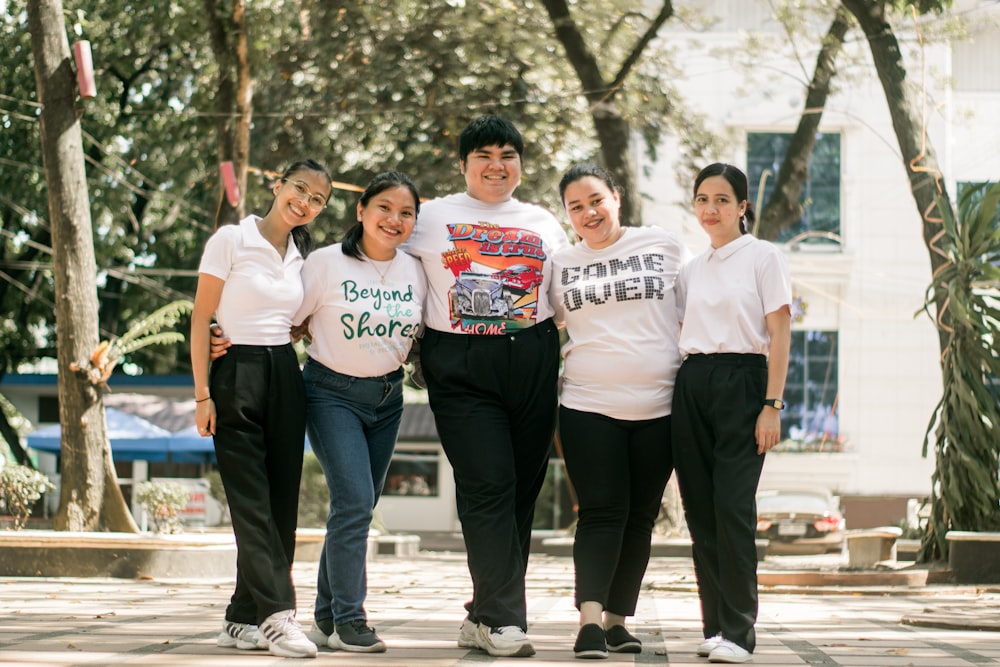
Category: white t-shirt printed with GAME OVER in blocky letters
[618,307]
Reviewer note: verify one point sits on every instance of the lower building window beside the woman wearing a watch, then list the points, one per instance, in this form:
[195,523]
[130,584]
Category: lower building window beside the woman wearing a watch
[810,420]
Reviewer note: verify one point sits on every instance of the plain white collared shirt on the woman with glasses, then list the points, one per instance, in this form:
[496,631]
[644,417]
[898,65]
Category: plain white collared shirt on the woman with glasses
[262,290]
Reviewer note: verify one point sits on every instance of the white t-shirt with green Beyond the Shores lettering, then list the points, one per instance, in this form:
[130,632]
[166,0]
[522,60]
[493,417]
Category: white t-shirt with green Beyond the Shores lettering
[363,318]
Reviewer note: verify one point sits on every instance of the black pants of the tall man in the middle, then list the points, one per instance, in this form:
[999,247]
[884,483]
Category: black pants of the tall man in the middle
[494,404]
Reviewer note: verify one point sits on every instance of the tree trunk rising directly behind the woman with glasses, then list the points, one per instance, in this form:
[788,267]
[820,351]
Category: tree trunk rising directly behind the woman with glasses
[234,100]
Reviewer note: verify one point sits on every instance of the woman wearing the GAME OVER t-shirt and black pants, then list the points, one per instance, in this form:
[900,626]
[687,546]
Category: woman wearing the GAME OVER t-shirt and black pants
[614,293]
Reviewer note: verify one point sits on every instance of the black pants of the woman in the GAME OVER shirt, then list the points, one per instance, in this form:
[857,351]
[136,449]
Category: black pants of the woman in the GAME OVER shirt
[619,470]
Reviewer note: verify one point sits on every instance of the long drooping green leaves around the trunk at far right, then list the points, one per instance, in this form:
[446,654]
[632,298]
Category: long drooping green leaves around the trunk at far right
[965,427]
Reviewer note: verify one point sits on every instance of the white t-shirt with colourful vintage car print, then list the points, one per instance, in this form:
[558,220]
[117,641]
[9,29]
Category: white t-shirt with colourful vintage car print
[487,265]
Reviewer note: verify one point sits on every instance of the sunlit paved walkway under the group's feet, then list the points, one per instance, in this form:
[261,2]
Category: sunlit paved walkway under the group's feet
[416,606]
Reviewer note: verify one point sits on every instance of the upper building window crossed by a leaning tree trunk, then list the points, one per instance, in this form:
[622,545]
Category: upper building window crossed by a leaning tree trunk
[820,223]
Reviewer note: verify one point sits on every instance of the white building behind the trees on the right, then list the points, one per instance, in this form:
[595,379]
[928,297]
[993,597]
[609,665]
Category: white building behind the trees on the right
[865,373]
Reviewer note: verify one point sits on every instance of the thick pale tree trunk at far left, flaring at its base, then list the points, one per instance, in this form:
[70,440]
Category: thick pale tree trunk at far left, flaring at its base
[90,498]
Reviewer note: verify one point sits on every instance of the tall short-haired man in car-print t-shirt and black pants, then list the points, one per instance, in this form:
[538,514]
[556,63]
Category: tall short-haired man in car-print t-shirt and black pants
[490,358]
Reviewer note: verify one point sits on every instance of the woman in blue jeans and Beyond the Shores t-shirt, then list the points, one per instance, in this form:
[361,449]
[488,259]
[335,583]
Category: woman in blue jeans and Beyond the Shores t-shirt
[363,306]
